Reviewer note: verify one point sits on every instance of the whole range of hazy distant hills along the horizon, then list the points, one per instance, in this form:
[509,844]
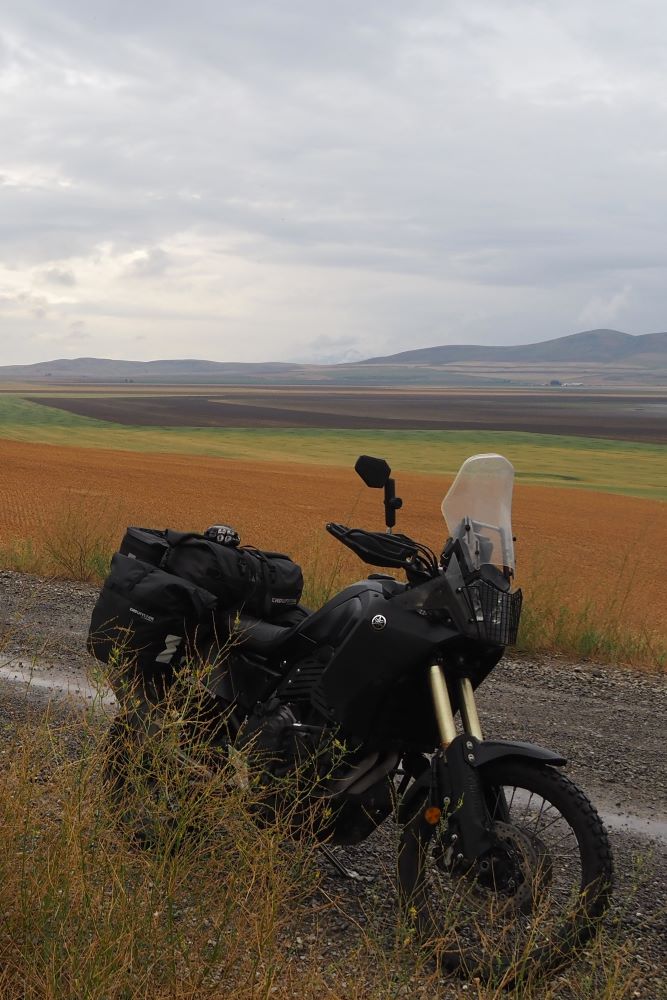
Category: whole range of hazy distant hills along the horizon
[596,356]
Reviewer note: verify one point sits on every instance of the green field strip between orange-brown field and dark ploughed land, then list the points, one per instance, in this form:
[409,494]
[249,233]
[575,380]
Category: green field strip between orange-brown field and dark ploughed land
[624,467]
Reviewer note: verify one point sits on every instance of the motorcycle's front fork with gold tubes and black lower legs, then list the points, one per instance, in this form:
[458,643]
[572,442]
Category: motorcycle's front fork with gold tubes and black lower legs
[455,780]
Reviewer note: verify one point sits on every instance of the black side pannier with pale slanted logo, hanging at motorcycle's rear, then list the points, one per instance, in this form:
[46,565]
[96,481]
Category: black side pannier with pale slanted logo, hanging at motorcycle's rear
[147,618]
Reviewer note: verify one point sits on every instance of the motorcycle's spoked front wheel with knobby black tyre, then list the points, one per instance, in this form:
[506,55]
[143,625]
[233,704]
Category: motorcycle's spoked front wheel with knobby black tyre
[536,895]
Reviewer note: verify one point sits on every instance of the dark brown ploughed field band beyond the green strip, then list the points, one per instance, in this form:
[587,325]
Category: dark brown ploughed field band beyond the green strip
[618,415]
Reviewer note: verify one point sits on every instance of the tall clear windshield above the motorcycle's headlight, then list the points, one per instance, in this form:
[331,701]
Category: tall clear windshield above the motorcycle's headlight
[478,510]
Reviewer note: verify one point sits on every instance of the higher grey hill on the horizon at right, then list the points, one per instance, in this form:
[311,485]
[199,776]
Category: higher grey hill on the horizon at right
[589,346]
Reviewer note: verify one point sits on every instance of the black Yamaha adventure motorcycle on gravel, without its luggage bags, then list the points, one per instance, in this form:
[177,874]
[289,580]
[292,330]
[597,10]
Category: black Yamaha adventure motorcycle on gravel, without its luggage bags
[501,858]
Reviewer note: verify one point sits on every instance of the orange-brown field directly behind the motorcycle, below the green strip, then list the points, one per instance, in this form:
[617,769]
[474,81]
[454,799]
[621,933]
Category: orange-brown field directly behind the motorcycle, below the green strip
[602,549]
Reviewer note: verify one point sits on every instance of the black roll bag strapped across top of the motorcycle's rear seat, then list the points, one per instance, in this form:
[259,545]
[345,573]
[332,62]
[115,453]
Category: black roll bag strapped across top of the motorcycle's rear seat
[259,583]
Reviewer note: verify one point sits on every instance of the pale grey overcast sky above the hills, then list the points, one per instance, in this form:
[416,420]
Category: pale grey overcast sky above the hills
[313,181]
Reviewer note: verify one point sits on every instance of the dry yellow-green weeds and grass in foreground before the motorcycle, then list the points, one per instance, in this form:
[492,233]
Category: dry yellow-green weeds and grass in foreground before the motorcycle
[190,885]
